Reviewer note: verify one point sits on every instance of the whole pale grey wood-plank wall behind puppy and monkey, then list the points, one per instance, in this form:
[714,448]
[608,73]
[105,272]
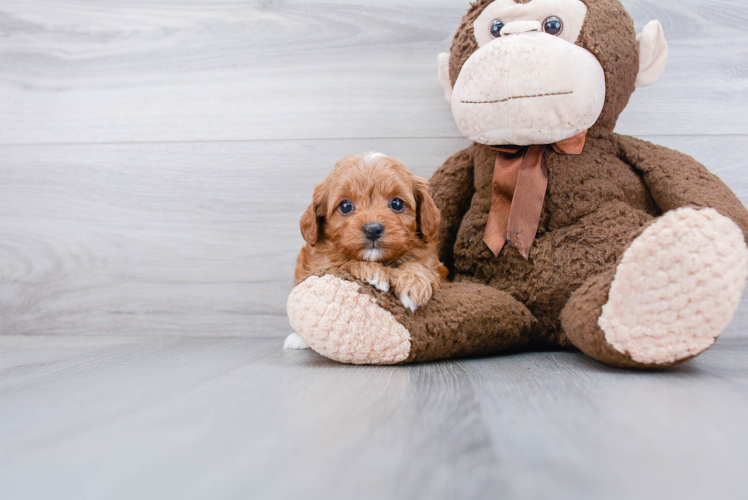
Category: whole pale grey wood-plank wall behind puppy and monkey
[155,156]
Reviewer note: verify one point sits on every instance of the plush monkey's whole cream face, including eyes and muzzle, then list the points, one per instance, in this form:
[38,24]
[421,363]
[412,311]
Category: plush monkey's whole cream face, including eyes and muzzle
[528,83]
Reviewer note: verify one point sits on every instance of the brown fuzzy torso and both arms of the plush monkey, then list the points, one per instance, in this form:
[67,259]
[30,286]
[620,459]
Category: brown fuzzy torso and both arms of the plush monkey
[596,204]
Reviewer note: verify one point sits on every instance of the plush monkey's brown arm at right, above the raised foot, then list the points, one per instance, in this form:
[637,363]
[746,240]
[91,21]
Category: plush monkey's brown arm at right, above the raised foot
[677,180]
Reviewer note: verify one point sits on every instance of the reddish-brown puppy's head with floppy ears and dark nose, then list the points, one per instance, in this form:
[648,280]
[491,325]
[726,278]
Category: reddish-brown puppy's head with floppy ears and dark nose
[371,208]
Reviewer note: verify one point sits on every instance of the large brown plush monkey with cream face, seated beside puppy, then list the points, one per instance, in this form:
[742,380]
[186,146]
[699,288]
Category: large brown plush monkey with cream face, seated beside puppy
[556,230]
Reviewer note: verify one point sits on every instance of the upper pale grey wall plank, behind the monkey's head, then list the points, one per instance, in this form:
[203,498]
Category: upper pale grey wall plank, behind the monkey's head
[81,71]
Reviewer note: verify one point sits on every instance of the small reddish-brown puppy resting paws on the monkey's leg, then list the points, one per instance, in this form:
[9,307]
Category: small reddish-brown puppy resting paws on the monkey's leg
[375,219]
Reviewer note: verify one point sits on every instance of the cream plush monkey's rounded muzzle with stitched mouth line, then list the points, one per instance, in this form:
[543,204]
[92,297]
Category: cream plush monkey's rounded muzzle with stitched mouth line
[528,89]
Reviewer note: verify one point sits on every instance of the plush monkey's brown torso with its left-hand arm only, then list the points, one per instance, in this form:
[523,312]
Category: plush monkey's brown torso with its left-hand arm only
[582,239]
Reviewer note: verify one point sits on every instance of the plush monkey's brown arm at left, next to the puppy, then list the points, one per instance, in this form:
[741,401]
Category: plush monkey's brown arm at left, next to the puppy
[452,188]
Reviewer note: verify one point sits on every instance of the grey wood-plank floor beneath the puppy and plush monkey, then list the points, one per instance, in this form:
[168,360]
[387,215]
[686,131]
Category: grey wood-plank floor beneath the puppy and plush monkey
[239,418]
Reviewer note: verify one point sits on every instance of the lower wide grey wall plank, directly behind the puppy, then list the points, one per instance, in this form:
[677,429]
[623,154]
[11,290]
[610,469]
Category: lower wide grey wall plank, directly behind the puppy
[189,239]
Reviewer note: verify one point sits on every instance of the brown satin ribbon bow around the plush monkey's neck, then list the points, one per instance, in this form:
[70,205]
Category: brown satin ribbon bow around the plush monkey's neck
[520,179]
